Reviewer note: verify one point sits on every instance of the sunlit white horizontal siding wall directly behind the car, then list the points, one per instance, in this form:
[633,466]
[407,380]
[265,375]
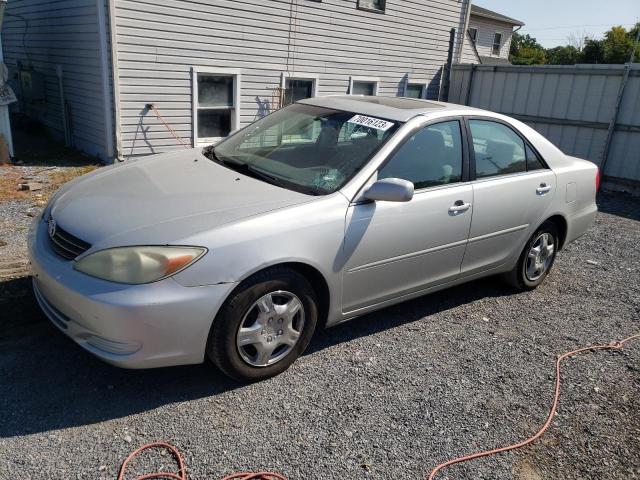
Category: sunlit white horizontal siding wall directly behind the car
[158,44]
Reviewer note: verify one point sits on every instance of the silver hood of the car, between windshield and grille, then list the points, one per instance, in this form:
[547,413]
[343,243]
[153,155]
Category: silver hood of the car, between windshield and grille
[162,199]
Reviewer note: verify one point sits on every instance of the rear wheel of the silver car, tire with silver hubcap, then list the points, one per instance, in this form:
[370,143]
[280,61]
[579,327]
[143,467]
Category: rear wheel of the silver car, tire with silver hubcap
[536,259]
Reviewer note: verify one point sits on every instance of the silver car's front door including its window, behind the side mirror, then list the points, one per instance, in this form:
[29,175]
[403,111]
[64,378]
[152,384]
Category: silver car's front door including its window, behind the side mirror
[396,248]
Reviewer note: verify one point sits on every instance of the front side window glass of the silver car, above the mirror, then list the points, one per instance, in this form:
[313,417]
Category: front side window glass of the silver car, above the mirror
[430,157]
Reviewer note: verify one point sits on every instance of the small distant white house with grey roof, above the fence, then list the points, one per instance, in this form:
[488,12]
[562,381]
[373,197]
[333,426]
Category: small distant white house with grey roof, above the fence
[488,37]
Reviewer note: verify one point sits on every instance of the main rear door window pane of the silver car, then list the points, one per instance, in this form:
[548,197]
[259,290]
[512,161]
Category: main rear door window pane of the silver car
[498,149]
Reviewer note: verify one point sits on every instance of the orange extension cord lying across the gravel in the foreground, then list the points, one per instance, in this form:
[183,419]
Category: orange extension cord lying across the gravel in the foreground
[182,474]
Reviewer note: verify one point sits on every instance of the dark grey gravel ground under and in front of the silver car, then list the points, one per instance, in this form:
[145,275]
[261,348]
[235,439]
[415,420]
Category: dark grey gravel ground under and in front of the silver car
[388,395]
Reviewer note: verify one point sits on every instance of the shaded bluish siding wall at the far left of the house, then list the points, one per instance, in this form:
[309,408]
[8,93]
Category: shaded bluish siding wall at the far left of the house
[42,34]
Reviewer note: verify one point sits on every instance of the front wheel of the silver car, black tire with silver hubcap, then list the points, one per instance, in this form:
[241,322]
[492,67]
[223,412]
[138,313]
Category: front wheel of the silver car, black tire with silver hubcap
[264,326]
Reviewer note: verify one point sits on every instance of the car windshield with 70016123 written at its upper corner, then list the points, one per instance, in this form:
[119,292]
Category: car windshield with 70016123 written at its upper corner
[313,150]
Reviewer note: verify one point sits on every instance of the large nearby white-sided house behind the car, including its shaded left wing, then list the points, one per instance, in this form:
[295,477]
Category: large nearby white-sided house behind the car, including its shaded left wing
[209,67]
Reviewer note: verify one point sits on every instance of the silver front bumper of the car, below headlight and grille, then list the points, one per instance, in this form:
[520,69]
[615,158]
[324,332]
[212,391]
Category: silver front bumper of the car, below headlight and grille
[133,326]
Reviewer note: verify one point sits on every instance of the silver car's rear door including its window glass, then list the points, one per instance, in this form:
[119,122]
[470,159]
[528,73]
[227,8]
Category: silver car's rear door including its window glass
[512,191]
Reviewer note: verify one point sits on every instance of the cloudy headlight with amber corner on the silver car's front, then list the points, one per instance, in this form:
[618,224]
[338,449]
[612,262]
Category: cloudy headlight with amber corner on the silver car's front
[136,265]
